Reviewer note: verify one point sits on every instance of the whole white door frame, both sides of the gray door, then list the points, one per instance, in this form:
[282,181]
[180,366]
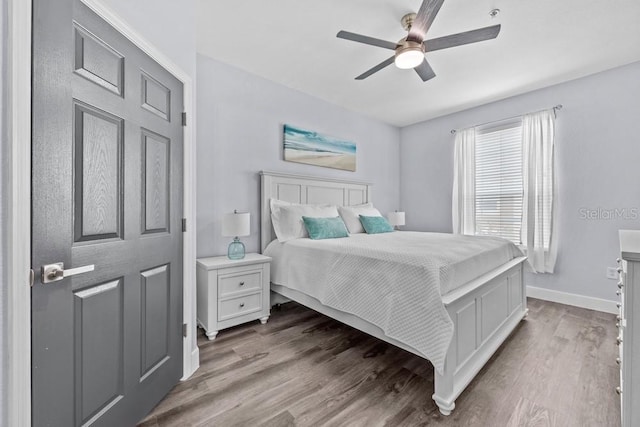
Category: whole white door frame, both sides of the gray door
[17,224]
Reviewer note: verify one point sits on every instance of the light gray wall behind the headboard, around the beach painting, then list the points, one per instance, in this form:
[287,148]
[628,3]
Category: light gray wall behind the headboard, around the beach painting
[240,118]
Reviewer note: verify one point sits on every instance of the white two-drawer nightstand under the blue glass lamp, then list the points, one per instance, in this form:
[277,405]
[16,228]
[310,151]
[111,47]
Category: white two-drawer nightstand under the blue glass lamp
[231,292]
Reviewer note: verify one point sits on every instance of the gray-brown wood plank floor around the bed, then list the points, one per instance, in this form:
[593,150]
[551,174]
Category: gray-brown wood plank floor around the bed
[304,369]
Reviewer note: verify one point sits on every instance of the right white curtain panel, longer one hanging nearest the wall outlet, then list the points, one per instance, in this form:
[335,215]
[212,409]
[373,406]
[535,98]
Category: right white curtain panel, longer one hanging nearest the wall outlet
[539,180]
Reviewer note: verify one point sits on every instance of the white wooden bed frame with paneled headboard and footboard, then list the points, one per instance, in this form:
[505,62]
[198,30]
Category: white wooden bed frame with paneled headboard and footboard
[484,311]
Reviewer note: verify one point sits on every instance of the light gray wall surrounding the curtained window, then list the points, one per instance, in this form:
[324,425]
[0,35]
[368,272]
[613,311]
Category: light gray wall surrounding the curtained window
[597,154]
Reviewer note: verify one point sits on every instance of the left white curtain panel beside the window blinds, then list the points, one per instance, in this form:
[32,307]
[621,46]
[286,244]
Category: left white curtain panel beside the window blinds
[464,182]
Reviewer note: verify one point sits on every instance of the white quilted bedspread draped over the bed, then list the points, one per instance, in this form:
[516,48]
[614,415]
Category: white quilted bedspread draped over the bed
[392,280]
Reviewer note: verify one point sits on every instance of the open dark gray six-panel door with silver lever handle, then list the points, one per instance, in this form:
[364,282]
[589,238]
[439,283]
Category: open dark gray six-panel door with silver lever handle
[107,191]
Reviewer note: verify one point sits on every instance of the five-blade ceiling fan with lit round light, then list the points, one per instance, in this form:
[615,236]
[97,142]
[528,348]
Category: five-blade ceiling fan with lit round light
[410,50]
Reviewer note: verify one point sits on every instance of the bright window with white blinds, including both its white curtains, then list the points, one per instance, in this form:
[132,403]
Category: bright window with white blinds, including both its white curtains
[504,184]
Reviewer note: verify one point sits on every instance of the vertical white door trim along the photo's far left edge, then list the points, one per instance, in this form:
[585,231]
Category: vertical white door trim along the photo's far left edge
[18,219]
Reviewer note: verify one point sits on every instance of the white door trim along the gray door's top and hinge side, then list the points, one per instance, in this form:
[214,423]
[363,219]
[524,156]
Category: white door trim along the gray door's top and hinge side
[190,347]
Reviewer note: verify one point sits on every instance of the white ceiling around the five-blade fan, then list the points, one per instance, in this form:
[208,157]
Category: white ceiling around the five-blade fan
[542,42]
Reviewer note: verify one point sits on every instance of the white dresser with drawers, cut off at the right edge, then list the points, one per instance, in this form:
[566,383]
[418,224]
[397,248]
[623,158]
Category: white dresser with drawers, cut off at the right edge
[629,327]
